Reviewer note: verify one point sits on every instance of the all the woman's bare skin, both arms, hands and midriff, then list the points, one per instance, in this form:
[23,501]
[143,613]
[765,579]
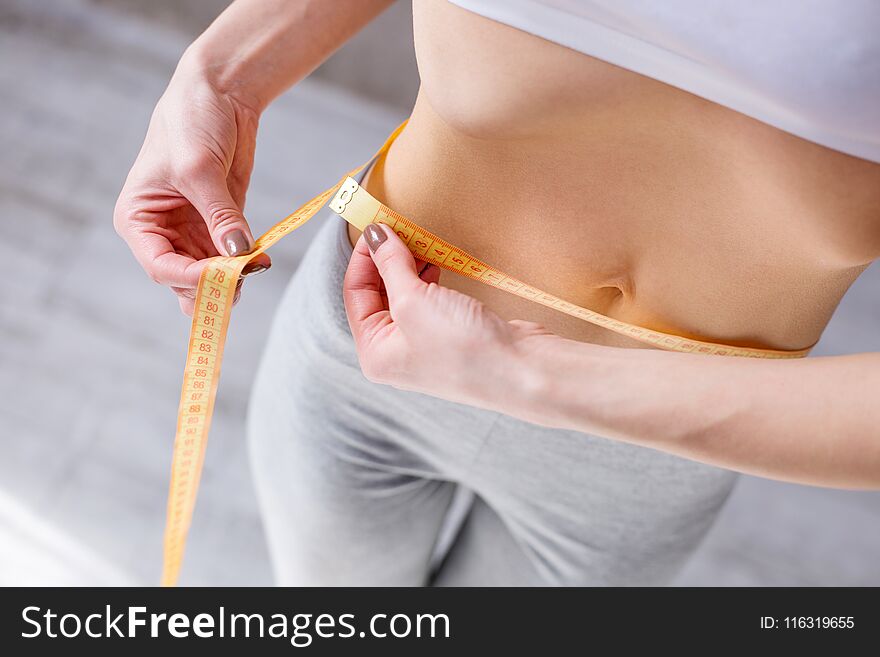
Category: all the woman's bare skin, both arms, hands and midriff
[615,191]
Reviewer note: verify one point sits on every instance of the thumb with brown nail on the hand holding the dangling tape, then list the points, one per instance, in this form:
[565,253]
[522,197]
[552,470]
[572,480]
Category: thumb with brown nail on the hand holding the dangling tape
[229,230]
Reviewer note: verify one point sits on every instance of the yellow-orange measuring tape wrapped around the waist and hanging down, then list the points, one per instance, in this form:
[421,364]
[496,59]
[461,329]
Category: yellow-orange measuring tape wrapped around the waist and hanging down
[213,306]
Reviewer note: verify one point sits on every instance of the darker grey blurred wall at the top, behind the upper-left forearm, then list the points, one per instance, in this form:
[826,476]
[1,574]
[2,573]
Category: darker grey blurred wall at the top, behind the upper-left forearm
[378,63]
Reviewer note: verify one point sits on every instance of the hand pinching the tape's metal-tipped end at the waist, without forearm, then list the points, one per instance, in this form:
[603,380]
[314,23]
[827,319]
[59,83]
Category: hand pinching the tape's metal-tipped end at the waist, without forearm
[414,334]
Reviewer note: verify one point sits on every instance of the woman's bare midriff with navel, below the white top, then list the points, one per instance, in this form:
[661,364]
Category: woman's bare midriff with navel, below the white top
[623,194]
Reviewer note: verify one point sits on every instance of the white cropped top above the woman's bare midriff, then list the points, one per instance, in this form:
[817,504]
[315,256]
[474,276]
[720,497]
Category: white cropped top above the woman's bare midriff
[809,67]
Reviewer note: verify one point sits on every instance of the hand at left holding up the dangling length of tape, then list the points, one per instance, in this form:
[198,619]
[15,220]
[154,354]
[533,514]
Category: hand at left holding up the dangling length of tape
[183,198]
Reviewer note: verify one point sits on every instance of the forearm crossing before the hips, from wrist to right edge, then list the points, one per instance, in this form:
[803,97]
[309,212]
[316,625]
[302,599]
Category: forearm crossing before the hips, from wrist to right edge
[814,421]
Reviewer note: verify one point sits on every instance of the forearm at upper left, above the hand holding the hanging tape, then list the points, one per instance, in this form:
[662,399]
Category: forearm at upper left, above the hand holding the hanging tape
[256,49]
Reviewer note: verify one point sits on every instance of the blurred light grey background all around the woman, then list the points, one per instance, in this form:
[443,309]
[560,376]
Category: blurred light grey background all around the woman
[91,352]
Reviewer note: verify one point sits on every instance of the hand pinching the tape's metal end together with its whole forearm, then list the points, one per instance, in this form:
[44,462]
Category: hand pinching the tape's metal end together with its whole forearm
[779,419]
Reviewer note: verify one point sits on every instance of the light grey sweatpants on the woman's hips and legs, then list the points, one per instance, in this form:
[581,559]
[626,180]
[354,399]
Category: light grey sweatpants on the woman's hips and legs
[356,480]
